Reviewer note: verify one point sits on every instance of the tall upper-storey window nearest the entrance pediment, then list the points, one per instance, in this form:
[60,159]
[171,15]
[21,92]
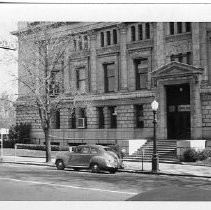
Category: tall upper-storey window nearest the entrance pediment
[141,68]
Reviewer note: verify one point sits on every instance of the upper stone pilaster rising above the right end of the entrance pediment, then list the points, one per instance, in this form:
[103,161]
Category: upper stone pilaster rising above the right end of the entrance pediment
[196,44]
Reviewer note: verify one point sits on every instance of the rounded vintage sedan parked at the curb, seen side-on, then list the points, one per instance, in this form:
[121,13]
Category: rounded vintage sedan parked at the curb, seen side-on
[93,157]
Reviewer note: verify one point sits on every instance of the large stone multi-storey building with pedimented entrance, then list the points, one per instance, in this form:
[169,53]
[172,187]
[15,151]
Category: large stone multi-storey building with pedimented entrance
[125,65]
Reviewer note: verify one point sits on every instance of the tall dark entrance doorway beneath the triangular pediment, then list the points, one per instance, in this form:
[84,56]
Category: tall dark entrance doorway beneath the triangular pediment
[178,111]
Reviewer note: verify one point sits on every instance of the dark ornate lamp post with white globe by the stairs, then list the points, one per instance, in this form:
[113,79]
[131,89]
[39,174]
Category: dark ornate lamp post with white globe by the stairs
[155,160]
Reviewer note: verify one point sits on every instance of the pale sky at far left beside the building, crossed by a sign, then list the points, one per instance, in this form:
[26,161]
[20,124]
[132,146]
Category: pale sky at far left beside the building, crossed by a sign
[8,67]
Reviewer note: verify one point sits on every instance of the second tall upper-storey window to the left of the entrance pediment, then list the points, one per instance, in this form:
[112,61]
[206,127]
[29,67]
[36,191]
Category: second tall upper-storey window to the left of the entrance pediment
[109,77]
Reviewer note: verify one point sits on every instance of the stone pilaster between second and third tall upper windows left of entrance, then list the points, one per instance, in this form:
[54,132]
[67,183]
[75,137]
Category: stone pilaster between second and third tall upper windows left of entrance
[93,66]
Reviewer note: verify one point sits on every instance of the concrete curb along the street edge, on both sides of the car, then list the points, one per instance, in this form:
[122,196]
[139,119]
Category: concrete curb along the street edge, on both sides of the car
[120,170]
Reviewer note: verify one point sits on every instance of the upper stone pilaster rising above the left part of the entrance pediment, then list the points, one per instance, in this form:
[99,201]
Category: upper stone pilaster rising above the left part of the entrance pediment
[159,44]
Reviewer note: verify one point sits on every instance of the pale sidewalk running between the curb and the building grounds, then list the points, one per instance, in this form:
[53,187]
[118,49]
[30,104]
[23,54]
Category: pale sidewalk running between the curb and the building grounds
[132,167]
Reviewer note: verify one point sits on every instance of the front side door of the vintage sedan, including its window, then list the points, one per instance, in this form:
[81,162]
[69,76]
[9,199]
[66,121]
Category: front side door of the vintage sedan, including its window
[81,158]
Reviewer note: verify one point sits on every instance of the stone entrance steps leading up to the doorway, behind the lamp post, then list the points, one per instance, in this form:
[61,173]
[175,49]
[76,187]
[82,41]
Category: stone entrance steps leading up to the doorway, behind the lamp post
[166,150]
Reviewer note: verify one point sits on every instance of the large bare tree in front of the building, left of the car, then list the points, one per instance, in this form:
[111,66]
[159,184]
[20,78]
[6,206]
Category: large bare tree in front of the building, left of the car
[42,59]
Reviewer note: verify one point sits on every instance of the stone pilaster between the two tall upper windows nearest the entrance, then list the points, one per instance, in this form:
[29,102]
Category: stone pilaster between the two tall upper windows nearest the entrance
[123,56]
